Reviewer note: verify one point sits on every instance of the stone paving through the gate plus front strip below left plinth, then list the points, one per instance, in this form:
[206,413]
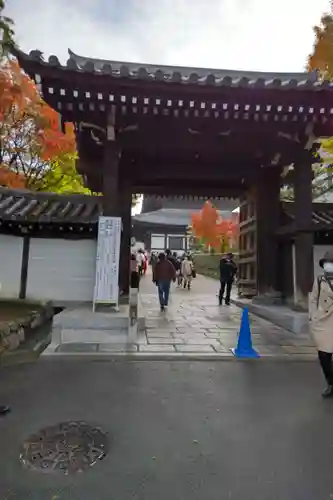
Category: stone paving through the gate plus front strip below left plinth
[193,327]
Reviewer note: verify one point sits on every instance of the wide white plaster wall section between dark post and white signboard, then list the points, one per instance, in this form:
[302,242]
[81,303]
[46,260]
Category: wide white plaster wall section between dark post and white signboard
[61,270]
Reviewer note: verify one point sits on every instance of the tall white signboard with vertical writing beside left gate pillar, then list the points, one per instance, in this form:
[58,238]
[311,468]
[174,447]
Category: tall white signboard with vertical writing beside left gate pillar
[106,290]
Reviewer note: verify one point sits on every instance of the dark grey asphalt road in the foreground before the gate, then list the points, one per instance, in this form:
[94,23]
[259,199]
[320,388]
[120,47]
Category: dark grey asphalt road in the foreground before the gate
[178,430]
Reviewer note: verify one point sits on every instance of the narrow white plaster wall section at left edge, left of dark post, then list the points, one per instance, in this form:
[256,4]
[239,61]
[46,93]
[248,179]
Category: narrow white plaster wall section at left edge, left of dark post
[11,248]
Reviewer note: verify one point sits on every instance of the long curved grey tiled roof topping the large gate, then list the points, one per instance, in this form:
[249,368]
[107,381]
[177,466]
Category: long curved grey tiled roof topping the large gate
[178,74]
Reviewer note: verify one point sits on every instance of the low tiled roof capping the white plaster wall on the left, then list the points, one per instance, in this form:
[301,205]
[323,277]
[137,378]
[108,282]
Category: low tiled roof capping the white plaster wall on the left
[48,207]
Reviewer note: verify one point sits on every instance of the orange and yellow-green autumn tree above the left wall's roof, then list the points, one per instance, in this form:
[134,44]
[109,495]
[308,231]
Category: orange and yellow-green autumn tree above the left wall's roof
[34,151]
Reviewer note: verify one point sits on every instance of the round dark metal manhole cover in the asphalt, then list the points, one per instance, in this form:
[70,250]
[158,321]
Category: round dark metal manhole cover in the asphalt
[68,448]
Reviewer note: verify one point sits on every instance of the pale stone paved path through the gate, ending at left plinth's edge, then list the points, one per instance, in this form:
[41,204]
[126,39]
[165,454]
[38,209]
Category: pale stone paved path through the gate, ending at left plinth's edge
[194,323]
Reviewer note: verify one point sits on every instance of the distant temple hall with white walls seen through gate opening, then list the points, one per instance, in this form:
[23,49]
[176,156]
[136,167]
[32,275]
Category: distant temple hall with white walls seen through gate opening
[164,221]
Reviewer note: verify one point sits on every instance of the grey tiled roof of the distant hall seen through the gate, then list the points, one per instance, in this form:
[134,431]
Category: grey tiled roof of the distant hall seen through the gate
[172,216]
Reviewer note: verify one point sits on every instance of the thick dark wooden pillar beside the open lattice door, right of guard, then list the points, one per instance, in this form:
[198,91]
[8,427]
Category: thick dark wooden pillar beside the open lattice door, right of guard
[268,220]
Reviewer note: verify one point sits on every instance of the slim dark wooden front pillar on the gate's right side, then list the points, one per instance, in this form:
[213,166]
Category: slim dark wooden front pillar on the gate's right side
[303,254]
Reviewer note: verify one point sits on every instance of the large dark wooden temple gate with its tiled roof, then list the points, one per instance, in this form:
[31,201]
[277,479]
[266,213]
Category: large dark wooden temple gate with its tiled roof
[189,131]
